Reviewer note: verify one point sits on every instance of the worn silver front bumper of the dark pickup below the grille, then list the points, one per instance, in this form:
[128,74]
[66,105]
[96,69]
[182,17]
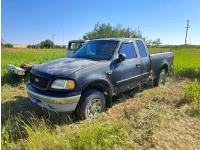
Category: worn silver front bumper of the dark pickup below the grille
[54,102]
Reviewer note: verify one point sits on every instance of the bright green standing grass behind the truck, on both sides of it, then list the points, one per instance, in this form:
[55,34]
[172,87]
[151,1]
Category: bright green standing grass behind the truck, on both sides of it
[186,59]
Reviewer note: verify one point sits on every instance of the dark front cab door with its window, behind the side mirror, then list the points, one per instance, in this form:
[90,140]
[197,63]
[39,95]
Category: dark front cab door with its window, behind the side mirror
[130,68]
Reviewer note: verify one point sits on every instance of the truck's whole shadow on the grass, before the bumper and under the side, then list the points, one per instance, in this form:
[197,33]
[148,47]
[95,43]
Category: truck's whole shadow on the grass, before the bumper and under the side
[22,107]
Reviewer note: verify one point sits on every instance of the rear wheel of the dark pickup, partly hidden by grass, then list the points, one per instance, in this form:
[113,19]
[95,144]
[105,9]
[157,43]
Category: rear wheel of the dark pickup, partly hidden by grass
[160,80]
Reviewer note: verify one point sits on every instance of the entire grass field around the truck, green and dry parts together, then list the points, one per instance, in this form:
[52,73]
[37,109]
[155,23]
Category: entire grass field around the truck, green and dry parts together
[140,119]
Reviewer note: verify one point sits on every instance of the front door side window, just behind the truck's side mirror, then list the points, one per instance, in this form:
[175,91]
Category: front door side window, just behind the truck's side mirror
[129,50]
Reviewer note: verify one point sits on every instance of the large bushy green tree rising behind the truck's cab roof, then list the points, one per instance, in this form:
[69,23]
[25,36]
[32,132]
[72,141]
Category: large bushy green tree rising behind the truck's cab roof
[108,31]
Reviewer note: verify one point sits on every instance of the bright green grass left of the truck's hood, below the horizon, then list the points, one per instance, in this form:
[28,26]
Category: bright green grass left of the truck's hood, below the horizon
[17,57]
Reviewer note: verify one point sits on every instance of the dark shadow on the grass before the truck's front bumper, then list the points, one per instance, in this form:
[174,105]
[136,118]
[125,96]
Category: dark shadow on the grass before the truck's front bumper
[22,107]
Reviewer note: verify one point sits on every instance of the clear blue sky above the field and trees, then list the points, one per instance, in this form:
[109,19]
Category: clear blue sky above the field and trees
[31,21]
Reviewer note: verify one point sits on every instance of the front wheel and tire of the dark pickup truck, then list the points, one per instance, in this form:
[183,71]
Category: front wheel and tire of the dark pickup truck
[92,103]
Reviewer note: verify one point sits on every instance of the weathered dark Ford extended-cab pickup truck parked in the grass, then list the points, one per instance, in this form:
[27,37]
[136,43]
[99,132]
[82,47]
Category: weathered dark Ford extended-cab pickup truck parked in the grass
[99,70]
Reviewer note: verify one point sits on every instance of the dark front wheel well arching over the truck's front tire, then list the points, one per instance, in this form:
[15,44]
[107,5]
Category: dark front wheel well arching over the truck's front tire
[103,87]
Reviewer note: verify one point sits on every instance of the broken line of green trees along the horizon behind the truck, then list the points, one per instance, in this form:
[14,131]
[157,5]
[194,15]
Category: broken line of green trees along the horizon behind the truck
[103,30]
